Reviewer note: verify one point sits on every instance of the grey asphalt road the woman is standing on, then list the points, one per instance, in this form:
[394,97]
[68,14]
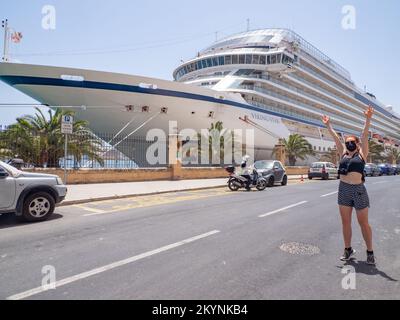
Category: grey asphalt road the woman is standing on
[211,244]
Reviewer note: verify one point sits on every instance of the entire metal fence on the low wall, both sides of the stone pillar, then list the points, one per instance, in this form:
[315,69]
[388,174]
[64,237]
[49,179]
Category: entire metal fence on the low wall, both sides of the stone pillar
[109,151]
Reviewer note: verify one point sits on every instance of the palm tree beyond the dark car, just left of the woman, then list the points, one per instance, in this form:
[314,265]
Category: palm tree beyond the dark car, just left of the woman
[296,147]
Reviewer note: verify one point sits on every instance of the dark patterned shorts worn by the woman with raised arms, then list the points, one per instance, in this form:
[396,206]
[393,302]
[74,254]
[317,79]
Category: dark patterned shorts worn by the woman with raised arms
[355,196]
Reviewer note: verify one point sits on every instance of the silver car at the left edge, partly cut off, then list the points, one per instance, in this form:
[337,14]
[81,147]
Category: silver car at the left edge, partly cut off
[31,196]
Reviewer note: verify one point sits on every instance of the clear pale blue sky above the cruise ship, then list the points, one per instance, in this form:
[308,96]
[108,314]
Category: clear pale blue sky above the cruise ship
[151,37]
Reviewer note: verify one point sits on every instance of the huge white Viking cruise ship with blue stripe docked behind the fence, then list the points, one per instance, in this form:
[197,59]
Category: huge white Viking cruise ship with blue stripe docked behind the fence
[269,80]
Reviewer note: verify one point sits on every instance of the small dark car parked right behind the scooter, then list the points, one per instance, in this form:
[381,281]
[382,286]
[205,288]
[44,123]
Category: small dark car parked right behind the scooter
[273,171]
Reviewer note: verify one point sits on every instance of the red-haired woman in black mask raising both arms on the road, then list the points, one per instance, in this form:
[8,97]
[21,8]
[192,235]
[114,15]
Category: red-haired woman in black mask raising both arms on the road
[352,191]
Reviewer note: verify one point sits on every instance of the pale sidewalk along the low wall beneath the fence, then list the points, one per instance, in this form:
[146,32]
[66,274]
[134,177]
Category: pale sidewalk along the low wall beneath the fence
[107,191]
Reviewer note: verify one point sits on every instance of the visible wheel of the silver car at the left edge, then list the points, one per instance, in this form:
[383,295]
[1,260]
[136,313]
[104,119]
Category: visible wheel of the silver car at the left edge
[37,207]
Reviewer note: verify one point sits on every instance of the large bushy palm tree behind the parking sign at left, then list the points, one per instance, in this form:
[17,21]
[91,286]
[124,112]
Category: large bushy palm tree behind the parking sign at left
[38,140]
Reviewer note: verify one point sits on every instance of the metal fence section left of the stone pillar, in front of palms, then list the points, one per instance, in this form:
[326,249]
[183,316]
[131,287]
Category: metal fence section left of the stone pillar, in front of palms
[85,150]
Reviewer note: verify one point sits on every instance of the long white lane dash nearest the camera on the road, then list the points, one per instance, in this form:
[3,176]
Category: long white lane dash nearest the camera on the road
[108,267]
